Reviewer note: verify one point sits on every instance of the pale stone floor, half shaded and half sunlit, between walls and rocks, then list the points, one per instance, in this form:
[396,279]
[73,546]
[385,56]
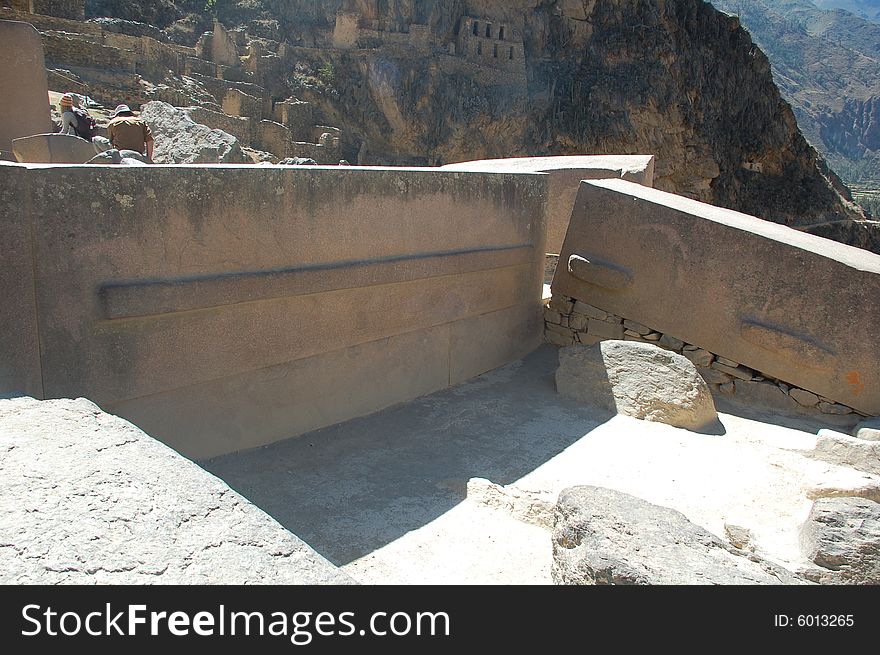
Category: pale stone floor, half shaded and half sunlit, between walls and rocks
[458,487]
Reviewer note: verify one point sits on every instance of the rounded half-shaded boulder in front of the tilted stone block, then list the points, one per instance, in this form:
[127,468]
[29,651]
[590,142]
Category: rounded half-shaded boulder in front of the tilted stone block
[637,379]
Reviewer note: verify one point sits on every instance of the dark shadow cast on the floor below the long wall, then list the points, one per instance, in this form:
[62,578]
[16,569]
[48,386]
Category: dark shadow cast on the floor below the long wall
[352,488]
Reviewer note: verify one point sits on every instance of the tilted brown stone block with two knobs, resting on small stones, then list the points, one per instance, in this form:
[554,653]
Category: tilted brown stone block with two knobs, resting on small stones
[755,296]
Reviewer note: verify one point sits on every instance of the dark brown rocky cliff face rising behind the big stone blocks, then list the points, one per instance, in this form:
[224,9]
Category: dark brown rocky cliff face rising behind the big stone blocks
[676,79]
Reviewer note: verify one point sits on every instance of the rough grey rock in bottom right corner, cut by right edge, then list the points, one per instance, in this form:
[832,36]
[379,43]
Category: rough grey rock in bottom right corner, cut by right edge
[843,534]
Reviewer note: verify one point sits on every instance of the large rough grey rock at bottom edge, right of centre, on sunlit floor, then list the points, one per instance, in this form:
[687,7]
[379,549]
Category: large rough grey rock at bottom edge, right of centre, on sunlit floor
[602,536]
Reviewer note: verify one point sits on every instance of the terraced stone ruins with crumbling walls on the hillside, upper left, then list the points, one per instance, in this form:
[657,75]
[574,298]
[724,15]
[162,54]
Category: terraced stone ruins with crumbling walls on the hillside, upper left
[223,80]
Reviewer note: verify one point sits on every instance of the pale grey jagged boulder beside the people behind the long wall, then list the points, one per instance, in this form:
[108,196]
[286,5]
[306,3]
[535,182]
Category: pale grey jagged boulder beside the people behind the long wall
[180,140]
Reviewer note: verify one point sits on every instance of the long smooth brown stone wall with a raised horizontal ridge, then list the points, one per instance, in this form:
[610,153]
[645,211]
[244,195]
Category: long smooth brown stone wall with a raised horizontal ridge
[226,307]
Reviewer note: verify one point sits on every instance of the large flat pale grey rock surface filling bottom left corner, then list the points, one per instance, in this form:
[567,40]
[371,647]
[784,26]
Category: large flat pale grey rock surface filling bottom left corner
[88,498]
